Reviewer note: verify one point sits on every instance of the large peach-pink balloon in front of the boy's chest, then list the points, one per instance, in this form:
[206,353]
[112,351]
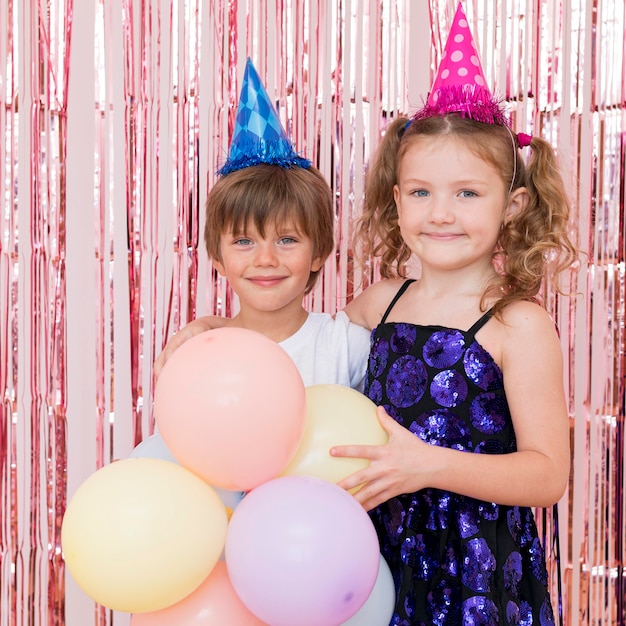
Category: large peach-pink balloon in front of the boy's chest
[229,404]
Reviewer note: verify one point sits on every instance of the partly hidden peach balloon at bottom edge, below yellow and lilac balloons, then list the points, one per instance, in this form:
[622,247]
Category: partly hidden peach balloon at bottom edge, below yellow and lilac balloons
[214,602]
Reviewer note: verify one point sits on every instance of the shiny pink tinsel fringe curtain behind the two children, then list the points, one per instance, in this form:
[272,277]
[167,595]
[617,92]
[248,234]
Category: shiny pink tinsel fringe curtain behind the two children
[114,117]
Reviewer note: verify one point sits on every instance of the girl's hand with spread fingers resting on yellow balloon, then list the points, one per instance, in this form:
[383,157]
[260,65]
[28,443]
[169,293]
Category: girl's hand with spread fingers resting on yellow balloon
[394,467]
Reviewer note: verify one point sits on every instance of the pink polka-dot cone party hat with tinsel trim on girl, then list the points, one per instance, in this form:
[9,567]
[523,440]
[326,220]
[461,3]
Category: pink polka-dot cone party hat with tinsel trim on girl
[460,85]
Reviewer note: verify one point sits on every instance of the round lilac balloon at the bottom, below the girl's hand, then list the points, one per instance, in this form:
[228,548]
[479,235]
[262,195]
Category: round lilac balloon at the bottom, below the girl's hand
[301,551]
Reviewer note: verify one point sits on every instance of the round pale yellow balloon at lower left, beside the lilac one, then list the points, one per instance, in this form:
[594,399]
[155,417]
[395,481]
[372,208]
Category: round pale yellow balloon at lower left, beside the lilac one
[141,534]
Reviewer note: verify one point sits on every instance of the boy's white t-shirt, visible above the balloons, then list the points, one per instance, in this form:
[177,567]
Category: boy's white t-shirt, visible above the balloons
[330,350]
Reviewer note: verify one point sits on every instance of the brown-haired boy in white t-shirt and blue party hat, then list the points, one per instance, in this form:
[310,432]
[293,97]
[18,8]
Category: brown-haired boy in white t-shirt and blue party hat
[269,229]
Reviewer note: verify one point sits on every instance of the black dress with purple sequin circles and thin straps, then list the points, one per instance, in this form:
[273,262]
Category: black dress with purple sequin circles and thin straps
[455,560]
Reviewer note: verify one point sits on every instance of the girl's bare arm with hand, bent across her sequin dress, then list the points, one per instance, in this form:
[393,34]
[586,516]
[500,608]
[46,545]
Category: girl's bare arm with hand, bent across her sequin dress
[535,475]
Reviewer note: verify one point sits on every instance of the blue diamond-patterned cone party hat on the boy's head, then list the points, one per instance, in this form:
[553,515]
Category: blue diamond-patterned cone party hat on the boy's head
[259,137]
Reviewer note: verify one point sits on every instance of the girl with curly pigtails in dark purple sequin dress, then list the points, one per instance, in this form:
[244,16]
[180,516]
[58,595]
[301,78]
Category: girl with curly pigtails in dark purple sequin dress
[464,361]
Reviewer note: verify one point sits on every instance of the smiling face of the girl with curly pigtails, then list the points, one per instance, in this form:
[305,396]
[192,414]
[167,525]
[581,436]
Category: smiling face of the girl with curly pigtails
[450,204]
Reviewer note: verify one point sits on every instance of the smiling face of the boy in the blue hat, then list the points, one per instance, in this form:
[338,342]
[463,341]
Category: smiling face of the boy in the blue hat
[268,273]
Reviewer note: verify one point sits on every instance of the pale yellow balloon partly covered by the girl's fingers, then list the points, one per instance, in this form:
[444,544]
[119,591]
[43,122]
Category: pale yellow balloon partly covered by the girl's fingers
[335,415]
